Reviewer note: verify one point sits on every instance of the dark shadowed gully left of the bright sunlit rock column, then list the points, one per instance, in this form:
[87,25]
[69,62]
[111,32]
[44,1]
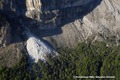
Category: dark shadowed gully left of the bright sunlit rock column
[13,9]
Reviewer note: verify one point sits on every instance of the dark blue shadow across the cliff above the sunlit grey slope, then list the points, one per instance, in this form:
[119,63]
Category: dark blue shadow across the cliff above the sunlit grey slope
[64,16]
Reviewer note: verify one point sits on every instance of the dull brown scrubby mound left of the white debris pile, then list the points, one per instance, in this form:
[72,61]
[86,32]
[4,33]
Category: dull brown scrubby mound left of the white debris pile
[11,55]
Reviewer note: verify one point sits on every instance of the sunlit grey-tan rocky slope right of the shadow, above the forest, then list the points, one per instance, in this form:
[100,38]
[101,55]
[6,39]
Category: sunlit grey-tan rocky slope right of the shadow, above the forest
[101,24]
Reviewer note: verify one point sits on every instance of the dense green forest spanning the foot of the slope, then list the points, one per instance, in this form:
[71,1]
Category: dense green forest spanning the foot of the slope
[83,60]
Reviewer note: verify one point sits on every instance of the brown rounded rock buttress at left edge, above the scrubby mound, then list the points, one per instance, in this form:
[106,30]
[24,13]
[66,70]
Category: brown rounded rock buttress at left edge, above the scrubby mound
[5,32]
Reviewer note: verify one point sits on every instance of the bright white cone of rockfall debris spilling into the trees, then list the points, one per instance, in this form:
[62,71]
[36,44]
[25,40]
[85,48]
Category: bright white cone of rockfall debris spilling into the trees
[38,49]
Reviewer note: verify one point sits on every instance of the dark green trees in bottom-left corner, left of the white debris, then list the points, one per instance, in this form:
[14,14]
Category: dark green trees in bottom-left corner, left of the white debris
[18,72]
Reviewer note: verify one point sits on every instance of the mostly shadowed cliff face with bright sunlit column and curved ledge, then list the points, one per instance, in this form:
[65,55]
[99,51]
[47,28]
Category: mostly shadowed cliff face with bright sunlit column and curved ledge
[51,13]
